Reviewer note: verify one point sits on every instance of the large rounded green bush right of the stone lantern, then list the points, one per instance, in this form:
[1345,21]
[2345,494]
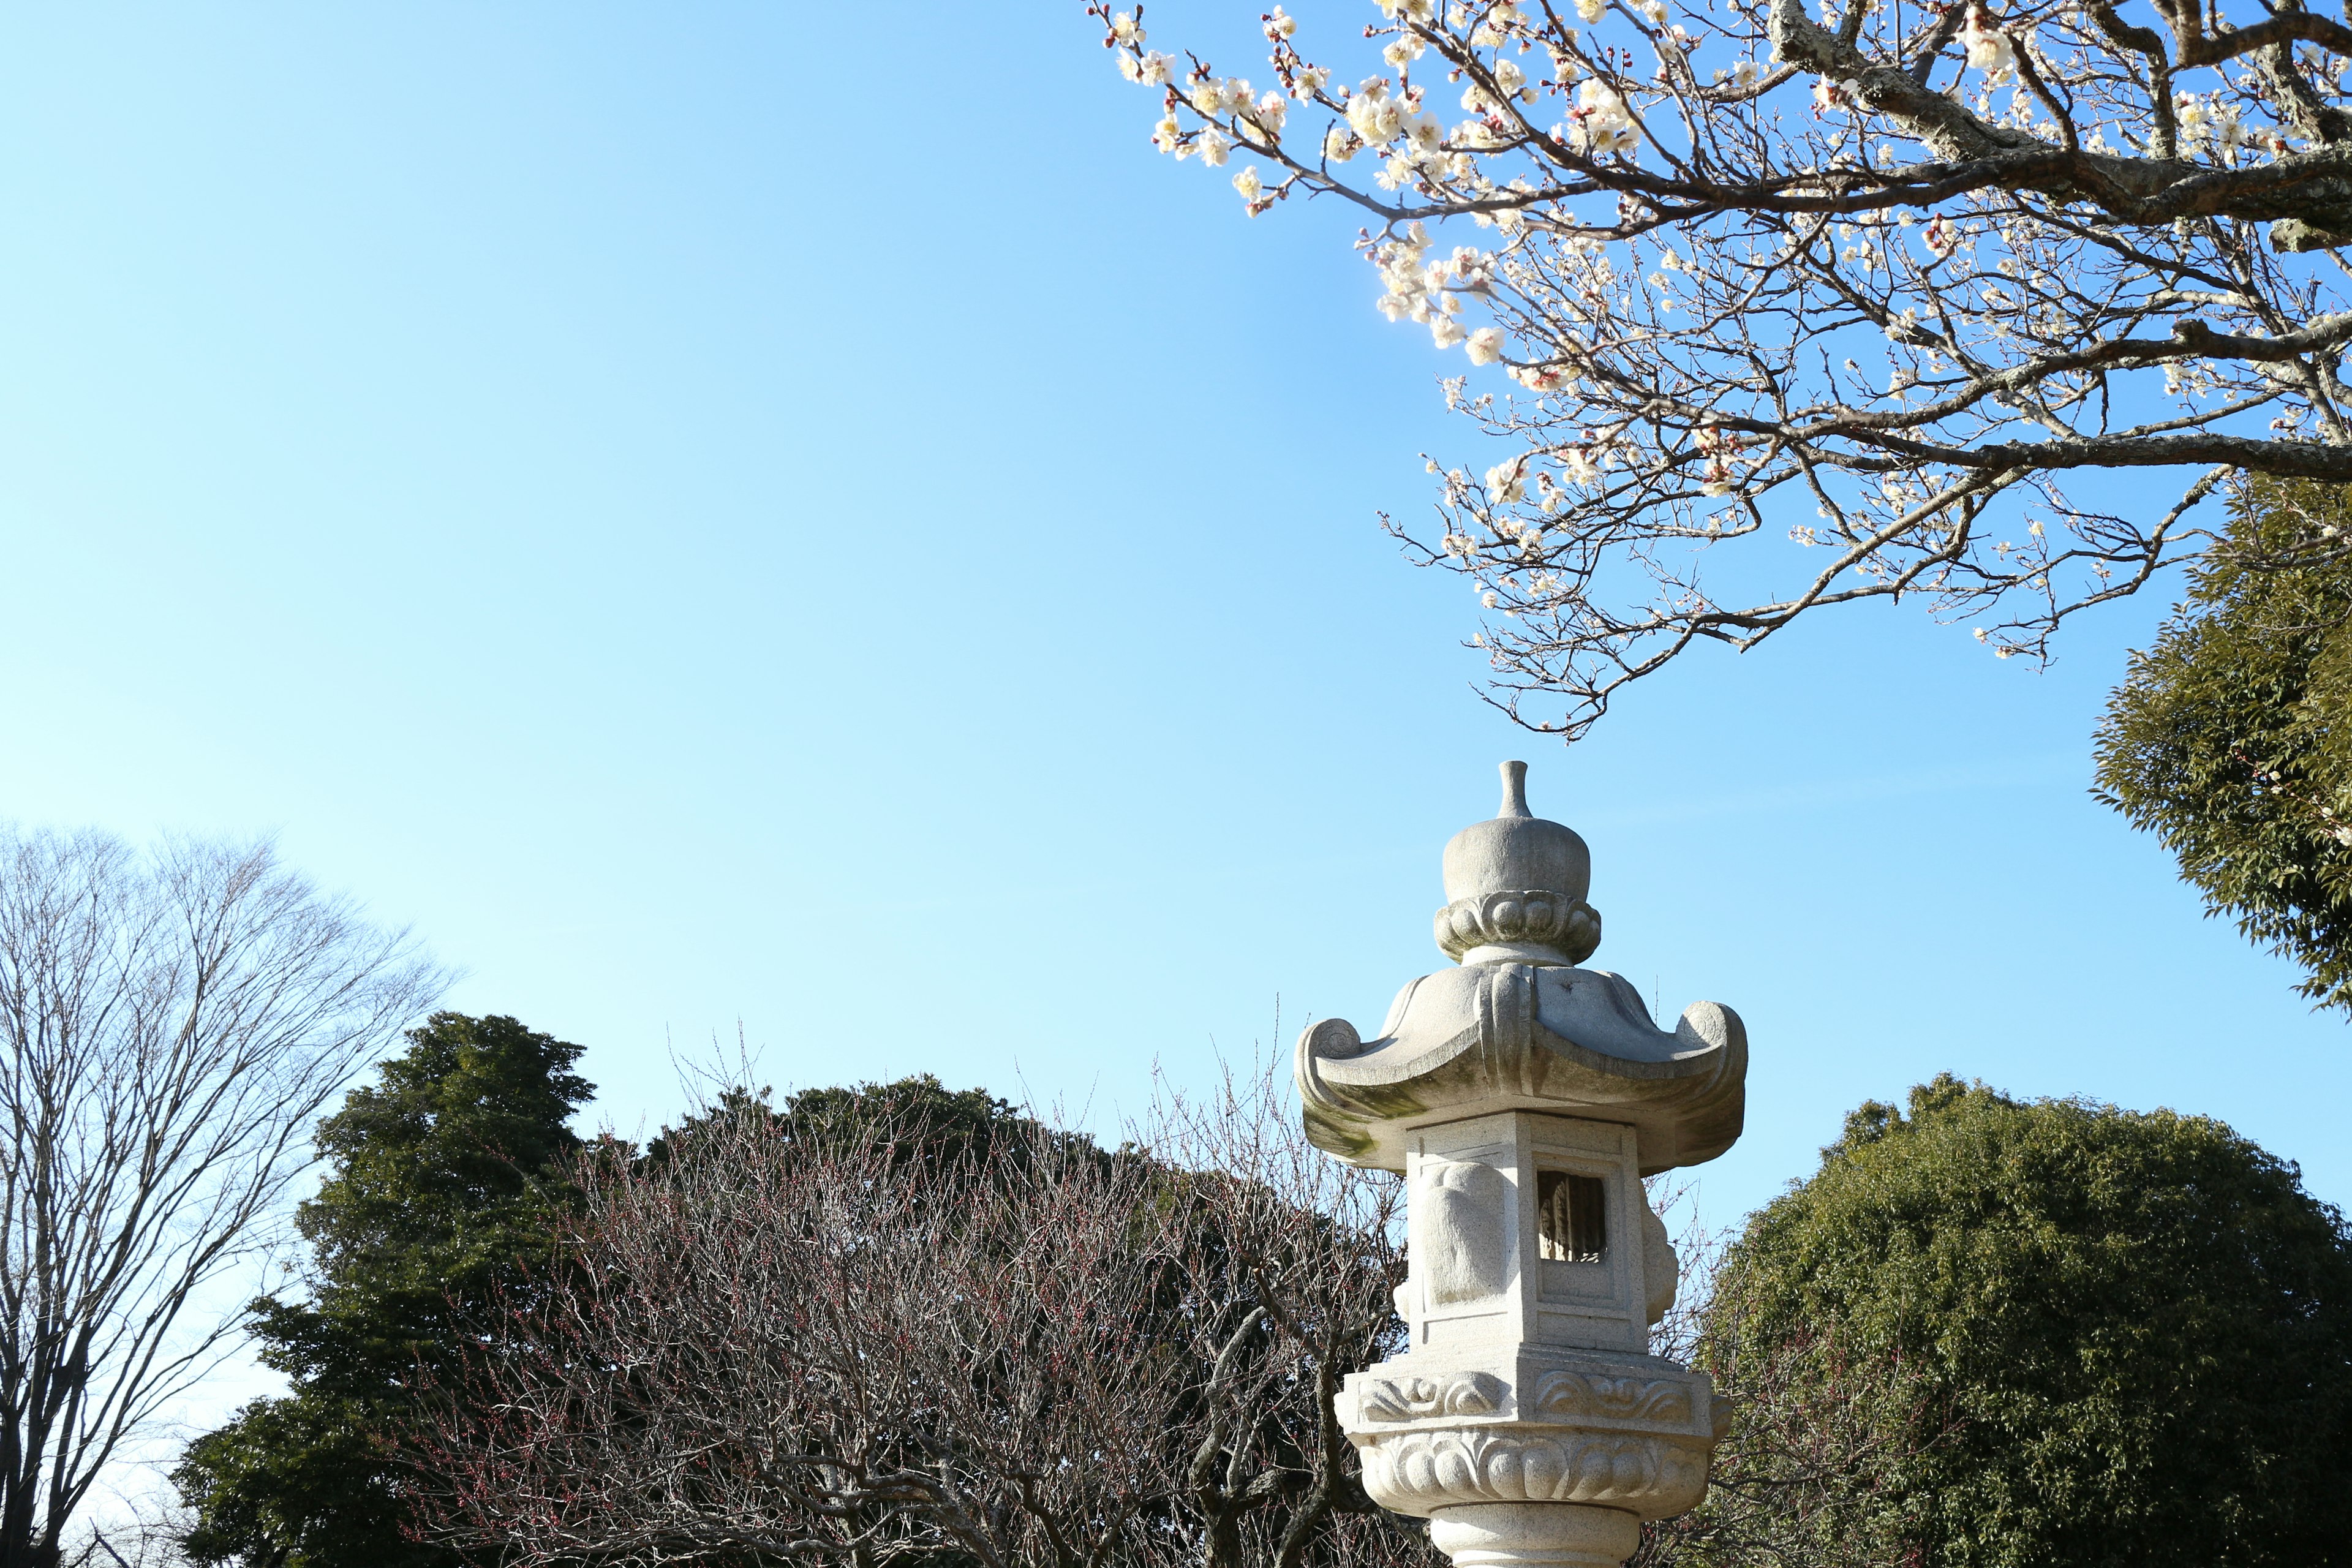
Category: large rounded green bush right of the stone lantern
[2052,1332]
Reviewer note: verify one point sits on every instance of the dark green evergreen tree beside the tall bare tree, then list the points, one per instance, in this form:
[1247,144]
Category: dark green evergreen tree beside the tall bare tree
[443,1184]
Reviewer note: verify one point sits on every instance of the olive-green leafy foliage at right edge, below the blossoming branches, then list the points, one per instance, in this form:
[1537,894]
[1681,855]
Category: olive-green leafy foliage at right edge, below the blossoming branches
[2231,742]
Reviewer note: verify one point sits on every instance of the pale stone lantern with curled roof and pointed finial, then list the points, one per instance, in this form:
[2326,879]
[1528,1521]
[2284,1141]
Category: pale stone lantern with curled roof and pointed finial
[1525,1099]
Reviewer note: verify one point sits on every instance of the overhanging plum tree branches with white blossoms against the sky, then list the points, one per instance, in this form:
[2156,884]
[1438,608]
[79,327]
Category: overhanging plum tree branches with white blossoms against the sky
[1906,267]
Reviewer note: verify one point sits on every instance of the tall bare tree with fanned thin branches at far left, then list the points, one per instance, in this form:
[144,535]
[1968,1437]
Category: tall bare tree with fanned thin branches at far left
[168,1031]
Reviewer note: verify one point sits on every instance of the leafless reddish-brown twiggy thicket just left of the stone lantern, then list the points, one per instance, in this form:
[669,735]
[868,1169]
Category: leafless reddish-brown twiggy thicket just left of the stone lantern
[1048,1355]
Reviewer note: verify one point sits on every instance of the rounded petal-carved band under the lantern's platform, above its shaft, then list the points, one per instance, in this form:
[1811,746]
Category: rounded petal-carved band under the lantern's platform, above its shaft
[1419,1473]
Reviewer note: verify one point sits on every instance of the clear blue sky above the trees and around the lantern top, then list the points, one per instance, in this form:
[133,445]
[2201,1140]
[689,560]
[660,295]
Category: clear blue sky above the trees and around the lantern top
[794,516]
